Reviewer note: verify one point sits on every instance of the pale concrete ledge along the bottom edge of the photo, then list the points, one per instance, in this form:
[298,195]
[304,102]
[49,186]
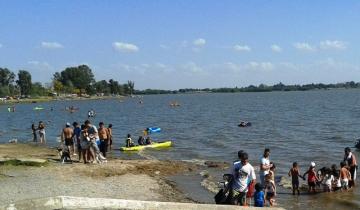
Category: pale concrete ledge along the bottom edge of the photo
[67,202]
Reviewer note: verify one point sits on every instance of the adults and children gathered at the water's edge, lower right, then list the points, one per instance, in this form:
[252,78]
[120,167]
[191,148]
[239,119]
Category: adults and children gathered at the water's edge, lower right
[240,188]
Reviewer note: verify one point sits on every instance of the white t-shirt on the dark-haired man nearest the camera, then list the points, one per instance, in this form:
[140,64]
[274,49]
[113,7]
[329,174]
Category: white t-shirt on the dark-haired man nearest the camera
[243,175]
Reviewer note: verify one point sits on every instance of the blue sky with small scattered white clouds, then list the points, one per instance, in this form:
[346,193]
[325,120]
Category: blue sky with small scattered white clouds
[162,44]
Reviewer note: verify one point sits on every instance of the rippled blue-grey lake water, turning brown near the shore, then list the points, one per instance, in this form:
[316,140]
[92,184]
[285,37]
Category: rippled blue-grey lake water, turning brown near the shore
[296,126]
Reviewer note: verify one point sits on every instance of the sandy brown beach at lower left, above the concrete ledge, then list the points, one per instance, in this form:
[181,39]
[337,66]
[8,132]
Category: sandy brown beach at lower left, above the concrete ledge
[122,179]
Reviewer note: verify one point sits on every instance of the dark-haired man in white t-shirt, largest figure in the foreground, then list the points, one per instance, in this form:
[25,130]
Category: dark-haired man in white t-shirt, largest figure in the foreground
[244,176]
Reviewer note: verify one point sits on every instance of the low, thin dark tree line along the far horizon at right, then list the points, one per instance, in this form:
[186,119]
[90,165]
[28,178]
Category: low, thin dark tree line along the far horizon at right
[260,88]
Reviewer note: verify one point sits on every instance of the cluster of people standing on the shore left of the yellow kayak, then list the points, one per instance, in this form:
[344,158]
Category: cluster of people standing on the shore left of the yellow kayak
[91,143]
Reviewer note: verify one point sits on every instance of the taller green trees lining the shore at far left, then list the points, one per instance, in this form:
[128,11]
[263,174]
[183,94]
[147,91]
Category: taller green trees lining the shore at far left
[73,80]
